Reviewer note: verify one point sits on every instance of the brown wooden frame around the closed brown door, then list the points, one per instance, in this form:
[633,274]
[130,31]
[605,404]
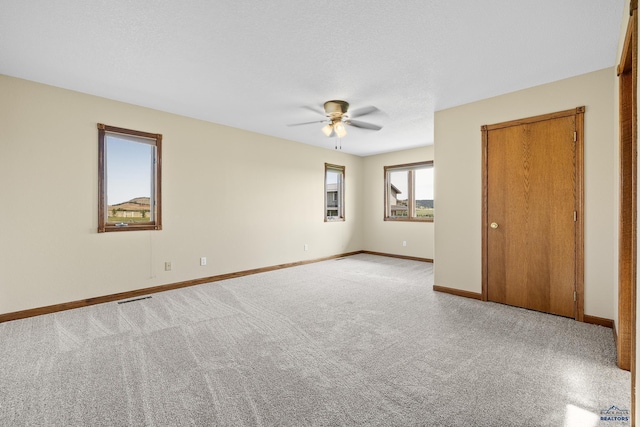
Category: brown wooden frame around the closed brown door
[579,201]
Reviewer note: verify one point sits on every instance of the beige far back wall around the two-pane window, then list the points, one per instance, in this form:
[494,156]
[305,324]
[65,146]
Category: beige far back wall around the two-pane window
[387,236]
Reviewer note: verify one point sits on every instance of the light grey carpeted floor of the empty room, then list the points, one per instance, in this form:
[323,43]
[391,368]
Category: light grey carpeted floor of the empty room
[358,341]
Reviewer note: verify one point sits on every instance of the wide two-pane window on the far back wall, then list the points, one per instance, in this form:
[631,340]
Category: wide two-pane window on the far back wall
[409,192]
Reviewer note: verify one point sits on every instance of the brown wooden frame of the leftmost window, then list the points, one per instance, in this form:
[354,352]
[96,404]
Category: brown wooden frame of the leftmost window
[103,216]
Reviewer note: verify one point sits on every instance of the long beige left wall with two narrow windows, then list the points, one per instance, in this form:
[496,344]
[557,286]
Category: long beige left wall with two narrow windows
[223,190]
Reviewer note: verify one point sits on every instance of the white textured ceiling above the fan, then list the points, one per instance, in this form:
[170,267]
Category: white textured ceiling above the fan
[256,64]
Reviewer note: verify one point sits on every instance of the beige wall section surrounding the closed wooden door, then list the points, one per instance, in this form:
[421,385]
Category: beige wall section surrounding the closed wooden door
[458,180]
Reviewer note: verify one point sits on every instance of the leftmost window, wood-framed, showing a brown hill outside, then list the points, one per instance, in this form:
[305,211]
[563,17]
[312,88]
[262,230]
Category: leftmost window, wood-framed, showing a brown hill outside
[129,164]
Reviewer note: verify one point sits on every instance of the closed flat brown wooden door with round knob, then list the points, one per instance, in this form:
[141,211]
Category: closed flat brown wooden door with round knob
[531,213]
